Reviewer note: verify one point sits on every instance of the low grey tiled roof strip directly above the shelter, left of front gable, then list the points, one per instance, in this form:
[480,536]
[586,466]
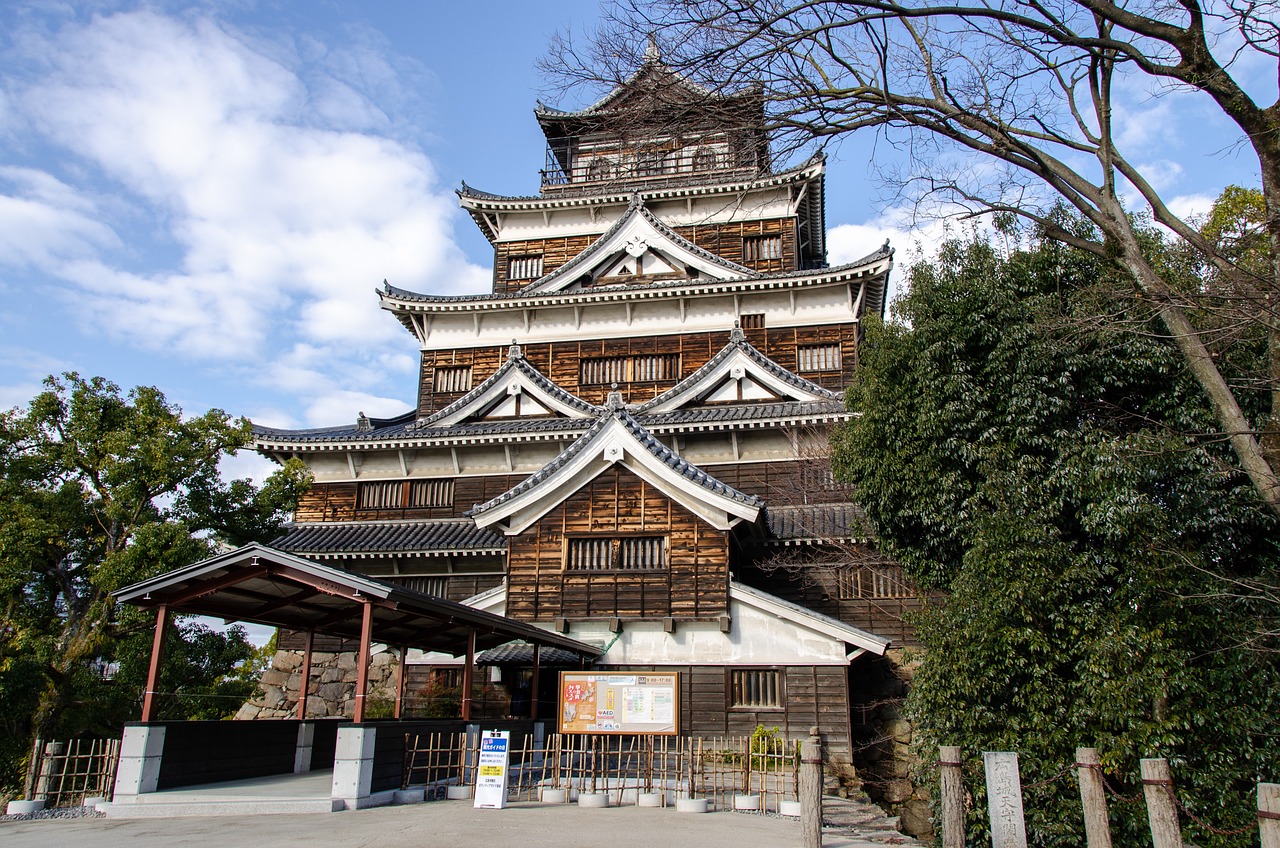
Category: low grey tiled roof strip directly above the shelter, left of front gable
[450,536]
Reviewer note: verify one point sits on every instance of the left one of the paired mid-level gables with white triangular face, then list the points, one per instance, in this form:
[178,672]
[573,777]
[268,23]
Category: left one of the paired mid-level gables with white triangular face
[496,398]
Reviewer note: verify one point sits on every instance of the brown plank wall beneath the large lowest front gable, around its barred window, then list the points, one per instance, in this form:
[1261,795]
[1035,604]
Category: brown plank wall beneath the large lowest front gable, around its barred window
[694,586]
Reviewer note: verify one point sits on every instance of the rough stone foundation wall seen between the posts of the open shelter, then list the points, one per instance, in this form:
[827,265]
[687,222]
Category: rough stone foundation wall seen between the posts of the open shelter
[332,691]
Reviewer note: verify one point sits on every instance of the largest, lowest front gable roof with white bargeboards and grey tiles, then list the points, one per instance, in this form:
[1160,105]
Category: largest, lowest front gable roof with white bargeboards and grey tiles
[618,439]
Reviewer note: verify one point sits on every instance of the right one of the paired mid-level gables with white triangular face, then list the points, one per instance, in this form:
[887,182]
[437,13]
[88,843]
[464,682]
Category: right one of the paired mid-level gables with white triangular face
[742,373]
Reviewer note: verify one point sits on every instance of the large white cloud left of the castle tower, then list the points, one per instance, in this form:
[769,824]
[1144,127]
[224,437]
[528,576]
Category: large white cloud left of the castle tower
[266,175]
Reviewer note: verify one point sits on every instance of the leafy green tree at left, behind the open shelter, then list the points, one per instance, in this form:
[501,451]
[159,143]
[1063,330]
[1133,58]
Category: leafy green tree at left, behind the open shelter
[100,491]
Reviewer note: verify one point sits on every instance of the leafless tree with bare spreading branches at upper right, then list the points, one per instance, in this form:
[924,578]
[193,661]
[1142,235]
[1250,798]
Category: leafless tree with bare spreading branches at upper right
[1034,86]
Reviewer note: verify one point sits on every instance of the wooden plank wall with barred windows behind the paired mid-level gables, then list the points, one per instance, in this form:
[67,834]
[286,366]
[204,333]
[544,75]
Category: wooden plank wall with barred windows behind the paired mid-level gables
[560,362]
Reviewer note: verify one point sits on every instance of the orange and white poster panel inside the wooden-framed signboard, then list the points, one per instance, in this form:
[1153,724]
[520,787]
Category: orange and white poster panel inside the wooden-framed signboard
[592,703]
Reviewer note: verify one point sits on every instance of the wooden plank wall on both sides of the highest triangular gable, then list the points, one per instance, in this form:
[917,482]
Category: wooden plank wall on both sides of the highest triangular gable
[725,240]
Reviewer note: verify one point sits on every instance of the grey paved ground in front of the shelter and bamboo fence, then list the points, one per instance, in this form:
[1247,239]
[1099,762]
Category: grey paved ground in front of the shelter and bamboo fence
[523,826]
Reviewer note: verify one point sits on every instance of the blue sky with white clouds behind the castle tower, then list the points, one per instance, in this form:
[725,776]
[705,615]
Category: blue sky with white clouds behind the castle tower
[203,197]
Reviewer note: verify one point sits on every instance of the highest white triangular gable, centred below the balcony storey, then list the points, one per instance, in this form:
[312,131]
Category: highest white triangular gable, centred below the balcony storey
[639,236]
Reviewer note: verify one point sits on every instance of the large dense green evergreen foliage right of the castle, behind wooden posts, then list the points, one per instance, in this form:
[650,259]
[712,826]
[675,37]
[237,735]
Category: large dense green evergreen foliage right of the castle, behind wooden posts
[1098,554]
